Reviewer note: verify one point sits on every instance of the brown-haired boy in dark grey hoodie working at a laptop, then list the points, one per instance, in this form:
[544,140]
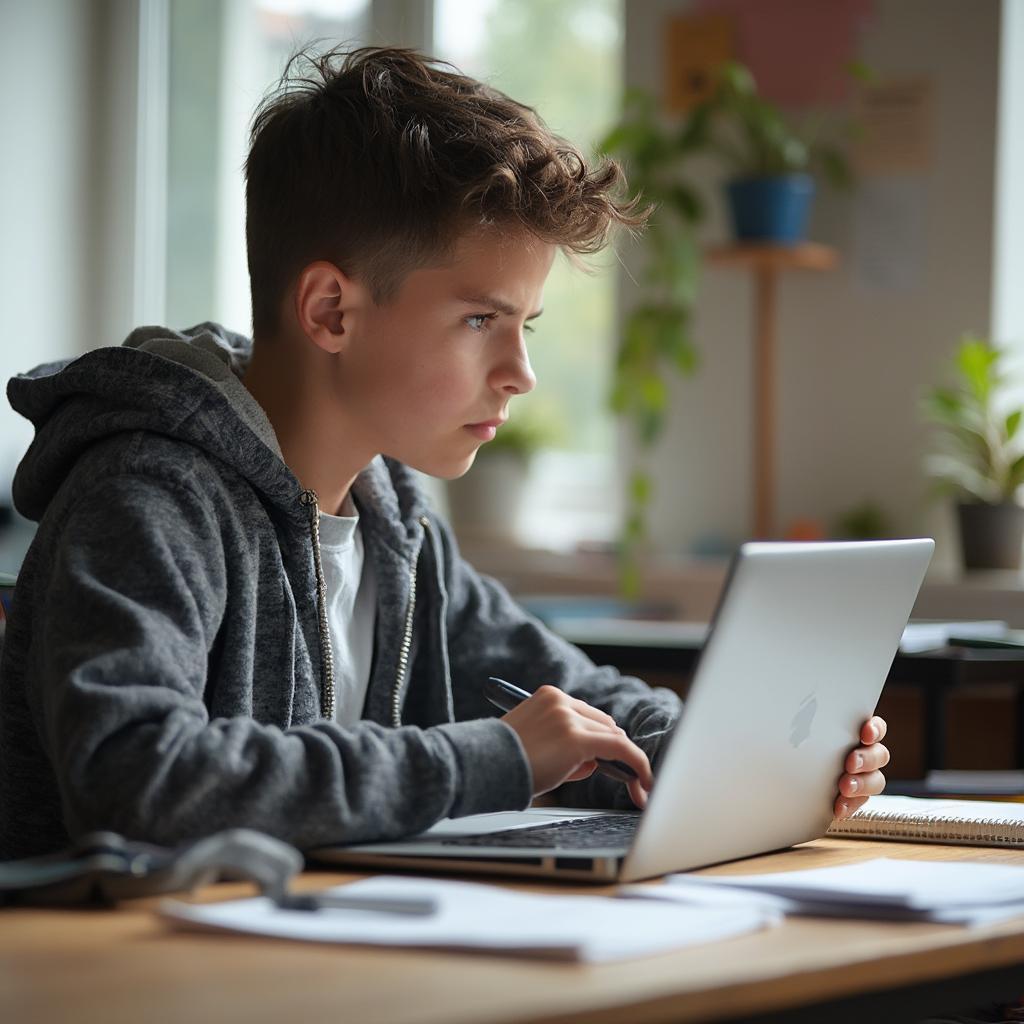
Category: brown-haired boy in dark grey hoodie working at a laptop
[238,610]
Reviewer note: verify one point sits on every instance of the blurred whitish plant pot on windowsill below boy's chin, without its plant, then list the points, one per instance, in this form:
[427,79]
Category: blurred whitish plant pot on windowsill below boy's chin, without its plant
[487,503]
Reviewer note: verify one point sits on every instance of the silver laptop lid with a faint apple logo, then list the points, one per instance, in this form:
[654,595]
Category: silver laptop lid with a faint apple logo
[795,663]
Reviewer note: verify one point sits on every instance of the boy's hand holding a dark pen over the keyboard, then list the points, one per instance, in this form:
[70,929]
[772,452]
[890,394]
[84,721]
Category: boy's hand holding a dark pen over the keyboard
[563,737]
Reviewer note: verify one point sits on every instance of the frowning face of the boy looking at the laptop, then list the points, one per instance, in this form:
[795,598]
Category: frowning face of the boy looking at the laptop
[429,376]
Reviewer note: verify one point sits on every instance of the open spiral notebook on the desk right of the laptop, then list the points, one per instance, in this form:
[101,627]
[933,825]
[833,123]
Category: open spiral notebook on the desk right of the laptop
[910,820]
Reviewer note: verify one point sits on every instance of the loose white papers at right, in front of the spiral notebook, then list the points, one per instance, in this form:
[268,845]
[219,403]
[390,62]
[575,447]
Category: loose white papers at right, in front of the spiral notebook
[946,892]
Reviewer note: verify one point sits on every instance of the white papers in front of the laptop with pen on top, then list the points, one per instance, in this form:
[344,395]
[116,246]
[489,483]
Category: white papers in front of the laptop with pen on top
[475,917]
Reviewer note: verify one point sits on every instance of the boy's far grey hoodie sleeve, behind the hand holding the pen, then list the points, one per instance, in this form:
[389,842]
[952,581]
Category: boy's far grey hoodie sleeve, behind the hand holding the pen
[491,635]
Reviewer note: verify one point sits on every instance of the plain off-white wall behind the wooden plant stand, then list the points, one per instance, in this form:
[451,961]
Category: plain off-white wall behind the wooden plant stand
[852,361]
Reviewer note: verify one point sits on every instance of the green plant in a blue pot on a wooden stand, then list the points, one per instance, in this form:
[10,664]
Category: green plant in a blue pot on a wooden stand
[773,163]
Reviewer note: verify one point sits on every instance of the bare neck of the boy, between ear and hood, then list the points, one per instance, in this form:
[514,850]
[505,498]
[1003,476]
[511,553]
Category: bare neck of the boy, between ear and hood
[296,399]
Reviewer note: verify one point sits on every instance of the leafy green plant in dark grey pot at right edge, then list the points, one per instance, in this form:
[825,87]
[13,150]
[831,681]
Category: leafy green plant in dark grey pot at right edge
[979,456]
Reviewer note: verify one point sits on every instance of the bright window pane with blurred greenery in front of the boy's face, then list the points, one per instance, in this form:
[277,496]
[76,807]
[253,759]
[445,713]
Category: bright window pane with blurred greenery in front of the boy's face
[564,58]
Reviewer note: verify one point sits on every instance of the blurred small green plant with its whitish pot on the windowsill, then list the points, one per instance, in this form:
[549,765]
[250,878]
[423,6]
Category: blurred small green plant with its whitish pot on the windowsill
[487,503]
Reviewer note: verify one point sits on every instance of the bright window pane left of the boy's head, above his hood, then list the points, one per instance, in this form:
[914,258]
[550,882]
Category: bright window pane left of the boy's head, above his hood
[224,58]
